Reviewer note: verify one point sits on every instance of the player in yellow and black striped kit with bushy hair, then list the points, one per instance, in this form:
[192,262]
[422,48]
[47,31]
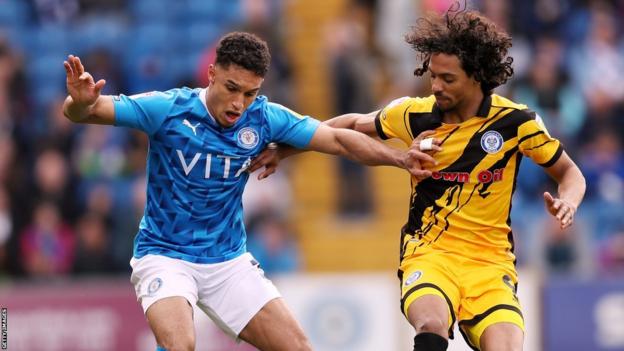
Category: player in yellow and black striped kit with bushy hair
[457,259]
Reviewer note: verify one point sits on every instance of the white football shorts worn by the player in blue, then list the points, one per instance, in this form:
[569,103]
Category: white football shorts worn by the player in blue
[230,292]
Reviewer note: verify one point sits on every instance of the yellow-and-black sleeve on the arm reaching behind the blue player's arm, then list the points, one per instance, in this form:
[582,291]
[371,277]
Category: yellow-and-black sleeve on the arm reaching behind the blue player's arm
[390,122]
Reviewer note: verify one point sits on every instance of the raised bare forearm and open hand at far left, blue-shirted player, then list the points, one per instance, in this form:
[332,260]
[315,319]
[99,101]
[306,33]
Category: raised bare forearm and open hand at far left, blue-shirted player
[84,104]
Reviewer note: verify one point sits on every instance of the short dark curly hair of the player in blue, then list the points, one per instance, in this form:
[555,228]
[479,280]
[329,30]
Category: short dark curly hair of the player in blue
[245,50]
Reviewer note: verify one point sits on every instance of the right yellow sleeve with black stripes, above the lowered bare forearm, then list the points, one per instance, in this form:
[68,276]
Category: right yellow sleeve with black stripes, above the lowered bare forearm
[535,142]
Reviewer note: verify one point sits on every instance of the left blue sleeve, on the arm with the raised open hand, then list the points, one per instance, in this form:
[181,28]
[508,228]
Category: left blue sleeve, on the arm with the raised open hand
[145,111]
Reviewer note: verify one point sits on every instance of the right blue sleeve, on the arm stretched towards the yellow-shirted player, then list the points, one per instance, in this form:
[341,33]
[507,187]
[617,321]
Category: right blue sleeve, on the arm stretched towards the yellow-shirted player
[289,127]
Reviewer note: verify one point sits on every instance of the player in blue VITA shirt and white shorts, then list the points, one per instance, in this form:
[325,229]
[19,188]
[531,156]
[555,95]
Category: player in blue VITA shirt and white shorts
[190,247]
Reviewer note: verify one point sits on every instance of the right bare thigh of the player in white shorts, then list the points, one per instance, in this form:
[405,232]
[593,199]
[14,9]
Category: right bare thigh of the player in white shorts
[274,328]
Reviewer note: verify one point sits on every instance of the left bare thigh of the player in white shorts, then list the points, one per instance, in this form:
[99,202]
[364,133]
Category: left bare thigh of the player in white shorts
[171,320]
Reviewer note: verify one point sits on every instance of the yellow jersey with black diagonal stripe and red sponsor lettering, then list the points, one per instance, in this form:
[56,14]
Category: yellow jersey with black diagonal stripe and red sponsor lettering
[464,207]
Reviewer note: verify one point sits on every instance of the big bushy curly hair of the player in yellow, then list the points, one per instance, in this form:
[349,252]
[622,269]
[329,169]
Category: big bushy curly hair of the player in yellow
[480,46]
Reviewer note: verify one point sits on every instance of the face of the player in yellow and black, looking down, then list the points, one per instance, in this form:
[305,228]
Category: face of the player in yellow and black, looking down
[450,84]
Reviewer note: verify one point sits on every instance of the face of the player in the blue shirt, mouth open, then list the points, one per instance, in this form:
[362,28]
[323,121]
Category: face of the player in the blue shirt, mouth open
[230,92]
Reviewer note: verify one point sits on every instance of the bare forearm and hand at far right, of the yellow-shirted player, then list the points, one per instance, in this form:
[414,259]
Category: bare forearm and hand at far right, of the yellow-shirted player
[571,190]
